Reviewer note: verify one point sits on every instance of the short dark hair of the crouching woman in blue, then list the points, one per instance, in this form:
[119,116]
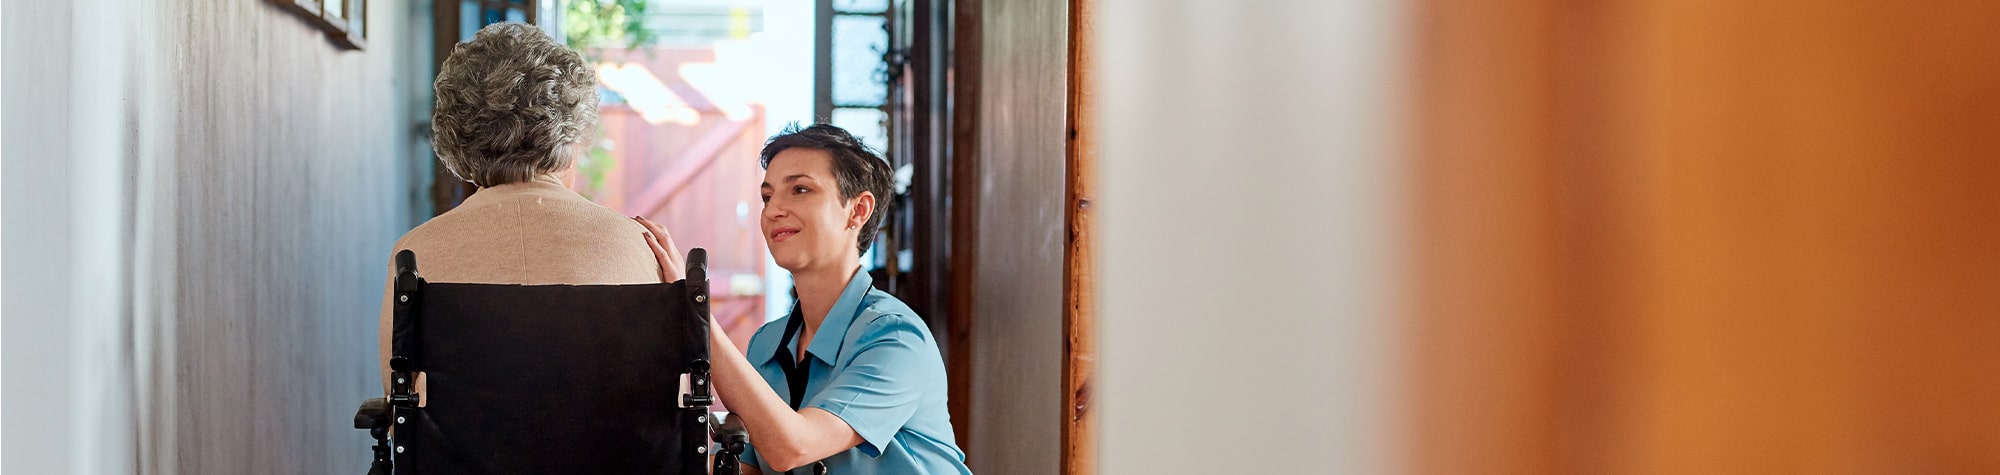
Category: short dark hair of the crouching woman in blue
[857,169]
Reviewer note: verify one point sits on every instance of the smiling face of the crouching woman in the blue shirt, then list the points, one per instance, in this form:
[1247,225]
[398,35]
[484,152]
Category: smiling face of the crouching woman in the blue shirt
[805,221]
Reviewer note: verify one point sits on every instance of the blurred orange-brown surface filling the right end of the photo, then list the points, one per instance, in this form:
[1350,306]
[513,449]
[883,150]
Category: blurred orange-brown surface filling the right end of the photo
[1707,237]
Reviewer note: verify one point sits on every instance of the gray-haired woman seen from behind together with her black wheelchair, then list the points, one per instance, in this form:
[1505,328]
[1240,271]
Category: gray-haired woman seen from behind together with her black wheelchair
[533,340]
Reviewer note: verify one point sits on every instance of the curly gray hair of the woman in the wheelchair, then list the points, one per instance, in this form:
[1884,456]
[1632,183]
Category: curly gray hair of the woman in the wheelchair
[511,105]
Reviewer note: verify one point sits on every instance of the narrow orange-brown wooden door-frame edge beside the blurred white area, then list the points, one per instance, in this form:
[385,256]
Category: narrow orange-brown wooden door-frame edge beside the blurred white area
[1081,272]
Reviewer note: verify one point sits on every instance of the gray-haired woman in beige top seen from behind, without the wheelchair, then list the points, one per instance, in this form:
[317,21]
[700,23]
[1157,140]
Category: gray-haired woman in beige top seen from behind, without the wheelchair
[513,109]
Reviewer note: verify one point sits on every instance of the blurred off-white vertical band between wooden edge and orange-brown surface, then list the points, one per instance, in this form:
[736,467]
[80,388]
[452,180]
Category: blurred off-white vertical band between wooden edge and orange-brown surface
[1251,237]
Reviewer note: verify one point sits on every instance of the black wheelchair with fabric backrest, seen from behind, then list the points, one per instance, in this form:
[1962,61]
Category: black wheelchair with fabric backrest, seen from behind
[549,380]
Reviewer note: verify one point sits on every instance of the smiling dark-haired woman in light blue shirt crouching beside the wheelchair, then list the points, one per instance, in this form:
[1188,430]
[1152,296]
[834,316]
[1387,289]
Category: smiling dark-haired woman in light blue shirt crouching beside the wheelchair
[851,380]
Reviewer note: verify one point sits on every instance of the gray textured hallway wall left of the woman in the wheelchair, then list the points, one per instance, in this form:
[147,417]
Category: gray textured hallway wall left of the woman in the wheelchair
[199,197]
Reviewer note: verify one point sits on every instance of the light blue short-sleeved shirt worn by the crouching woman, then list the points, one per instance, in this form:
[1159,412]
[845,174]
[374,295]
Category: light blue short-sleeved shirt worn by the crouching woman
[877,368]
